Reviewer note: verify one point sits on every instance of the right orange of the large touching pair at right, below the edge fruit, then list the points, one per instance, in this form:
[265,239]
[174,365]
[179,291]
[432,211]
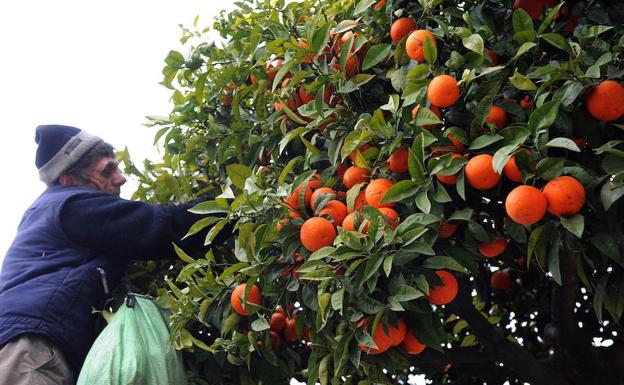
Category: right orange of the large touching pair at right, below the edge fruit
[565,196]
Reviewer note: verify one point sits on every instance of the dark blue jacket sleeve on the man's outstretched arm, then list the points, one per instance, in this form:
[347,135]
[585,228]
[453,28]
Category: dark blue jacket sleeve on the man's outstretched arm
[118,227]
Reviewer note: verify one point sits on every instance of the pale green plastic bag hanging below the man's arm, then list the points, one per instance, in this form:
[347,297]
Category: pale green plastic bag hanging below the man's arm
[134,349]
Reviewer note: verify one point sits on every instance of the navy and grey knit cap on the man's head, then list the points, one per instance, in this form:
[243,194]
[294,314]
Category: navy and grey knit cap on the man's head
[59,148]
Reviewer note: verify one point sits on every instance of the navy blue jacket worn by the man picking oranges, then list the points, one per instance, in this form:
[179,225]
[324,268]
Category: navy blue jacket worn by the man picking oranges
[52,273]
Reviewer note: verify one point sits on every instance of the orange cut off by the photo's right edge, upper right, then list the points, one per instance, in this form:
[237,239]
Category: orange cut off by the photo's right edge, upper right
[606,101]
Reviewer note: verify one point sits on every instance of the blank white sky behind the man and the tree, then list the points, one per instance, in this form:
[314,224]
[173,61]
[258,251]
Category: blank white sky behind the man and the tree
[93,65]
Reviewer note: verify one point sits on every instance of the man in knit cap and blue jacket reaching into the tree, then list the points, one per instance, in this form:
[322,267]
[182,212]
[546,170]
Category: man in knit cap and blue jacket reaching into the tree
[71,246]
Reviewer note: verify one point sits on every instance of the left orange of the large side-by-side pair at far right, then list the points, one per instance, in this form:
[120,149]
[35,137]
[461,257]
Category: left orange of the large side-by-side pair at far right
[525,205]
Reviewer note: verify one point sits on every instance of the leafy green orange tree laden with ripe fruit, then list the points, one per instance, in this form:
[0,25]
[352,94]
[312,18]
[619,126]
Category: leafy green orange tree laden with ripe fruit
[417,187]
